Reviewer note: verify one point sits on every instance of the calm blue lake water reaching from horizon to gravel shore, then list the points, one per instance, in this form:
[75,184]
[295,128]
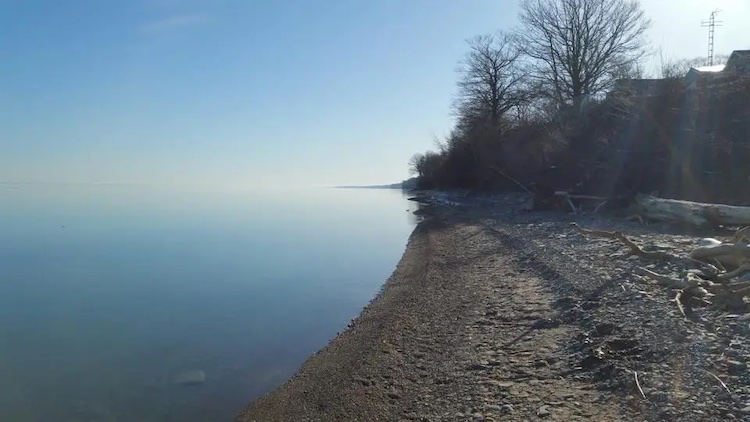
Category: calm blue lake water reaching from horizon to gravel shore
[107,293]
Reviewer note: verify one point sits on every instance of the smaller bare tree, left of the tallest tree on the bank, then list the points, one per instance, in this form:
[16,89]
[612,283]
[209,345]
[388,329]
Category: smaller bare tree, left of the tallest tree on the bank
[490,81]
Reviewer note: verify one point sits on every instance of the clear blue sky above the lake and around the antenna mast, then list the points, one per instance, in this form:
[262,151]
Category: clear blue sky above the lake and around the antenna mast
[256,92]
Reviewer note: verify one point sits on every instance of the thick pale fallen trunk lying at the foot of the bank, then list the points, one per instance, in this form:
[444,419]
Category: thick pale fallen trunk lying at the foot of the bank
[693,213]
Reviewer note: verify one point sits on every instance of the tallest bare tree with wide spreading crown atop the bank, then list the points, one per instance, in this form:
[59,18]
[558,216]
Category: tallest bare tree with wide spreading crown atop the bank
[577,47]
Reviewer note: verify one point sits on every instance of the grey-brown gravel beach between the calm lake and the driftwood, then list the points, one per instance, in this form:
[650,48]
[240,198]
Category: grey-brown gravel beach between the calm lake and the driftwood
[493,315]
